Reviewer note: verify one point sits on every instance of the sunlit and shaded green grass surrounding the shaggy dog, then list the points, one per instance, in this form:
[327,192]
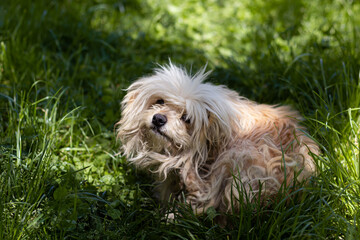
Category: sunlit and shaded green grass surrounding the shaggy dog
[63,65]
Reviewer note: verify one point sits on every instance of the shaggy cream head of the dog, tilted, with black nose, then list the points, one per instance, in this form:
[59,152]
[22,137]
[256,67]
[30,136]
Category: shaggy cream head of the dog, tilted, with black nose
[173,113]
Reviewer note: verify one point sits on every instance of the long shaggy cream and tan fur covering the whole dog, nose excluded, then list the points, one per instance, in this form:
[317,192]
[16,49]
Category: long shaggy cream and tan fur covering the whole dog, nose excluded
[223,140]
